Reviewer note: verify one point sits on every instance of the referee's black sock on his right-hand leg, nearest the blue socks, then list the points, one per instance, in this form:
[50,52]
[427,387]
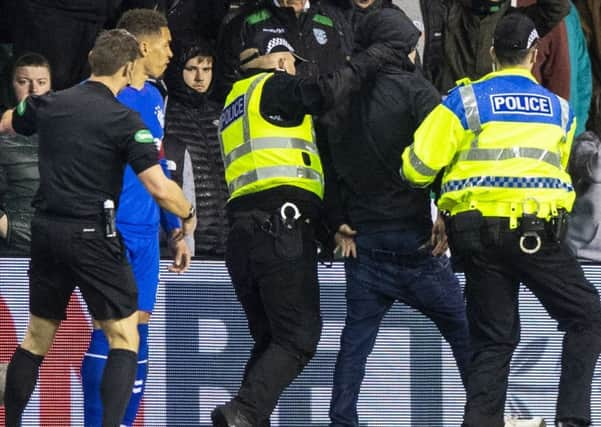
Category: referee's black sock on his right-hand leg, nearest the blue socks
[117,383]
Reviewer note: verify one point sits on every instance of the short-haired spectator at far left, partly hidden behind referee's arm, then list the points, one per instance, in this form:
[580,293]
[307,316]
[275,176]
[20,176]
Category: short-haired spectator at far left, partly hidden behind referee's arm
[19,176]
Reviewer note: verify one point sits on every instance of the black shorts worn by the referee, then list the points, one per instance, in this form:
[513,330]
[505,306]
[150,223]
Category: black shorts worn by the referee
[66,253]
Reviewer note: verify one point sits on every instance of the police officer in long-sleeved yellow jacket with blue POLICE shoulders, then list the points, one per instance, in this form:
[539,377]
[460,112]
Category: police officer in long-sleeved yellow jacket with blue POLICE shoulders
[504,141]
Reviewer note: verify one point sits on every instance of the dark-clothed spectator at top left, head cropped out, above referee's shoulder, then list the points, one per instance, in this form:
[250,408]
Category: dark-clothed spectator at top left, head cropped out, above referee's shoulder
[61,30]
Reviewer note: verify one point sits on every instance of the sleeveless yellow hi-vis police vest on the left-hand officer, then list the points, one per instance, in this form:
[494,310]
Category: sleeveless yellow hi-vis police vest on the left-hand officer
[259,155]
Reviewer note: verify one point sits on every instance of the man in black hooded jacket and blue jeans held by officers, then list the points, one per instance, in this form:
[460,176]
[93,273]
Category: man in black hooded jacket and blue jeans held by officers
[399,252]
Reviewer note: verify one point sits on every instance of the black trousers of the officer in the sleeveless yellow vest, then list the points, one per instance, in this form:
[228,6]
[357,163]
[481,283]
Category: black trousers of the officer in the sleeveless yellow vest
[279,292]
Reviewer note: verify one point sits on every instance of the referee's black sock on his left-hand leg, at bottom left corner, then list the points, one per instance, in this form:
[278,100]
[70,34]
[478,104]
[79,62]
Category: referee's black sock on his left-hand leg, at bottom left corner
[21,377]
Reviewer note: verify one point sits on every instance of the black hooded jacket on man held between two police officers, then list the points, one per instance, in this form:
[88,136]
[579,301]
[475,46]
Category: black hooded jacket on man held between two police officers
[384,116]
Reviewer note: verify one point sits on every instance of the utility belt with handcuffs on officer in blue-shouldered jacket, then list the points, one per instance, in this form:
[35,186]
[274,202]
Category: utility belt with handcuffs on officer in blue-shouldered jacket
[533,221]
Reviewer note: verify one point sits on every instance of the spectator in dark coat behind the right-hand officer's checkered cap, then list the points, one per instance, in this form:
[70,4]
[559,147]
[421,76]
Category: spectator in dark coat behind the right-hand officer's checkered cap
[459,35]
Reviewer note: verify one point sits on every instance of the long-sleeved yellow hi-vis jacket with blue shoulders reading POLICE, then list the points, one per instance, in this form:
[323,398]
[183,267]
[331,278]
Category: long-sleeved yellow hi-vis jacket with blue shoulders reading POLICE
[505,143]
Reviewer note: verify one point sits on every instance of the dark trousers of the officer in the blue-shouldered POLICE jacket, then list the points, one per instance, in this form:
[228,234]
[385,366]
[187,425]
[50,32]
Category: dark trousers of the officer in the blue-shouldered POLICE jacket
[493,273]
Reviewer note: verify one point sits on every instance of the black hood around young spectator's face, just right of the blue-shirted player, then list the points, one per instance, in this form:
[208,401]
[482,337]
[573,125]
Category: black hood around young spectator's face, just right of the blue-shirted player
[177,88]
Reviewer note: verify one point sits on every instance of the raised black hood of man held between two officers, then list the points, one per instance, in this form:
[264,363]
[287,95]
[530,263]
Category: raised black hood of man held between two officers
[391,27]
